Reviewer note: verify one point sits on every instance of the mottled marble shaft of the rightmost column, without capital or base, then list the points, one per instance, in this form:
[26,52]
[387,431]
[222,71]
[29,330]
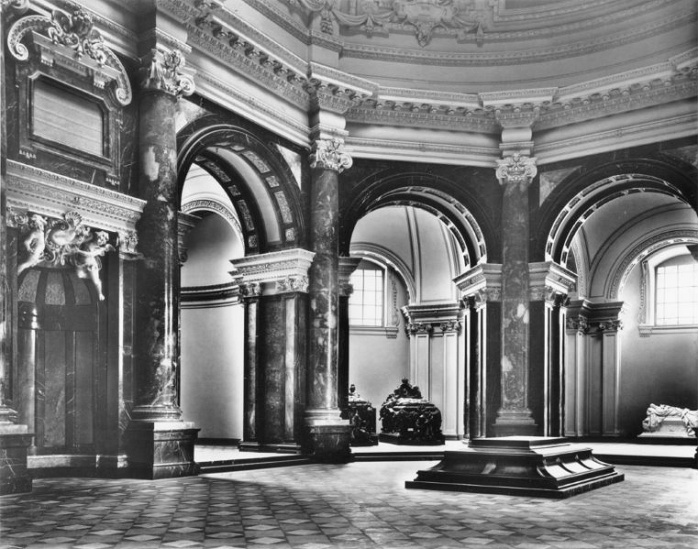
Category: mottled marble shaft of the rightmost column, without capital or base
[515,314]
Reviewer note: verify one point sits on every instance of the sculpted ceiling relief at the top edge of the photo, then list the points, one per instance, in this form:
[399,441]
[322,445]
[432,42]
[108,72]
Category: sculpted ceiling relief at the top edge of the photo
[423,17]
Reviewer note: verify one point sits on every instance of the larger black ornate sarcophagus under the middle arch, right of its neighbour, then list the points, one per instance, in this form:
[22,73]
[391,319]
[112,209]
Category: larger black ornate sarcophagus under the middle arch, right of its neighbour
[407,418]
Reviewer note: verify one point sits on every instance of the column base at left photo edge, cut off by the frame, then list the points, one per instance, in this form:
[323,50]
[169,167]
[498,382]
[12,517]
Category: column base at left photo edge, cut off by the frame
[14,474]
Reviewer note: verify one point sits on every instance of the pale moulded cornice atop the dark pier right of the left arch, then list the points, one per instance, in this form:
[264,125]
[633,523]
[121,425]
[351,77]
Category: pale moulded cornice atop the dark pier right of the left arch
[273,273]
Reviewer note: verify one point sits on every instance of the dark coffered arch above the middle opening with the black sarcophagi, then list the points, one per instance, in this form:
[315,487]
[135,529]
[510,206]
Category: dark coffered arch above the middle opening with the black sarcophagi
[430,193]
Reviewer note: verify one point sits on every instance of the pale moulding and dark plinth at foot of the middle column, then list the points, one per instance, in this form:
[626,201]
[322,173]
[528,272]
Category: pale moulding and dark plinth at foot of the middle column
[329,436]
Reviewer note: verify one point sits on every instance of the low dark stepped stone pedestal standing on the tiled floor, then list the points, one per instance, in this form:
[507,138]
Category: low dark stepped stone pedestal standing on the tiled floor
[518,465]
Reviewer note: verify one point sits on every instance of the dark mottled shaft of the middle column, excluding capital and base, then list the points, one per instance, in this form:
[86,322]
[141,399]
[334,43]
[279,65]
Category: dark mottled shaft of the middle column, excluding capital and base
[324,291]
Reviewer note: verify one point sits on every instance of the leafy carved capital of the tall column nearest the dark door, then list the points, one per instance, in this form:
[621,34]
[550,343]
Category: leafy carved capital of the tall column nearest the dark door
[163,70]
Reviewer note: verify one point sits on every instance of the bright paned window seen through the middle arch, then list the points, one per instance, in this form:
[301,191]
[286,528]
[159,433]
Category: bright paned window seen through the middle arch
[367,302]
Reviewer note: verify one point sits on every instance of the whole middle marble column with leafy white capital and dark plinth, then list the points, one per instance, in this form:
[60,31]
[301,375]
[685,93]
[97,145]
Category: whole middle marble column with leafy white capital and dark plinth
[328,435]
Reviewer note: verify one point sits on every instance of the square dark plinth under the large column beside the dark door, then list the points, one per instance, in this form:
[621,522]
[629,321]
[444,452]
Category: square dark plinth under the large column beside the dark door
[161,449]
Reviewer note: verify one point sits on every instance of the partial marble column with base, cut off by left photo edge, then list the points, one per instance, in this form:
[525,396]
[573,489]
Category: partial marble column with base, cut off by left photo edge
[14,437]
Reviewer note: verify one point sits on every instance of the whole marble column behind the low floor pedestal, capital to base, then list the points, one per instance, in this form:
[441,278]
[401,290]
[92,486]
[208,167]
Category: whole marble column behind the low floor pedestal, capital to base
[515,174]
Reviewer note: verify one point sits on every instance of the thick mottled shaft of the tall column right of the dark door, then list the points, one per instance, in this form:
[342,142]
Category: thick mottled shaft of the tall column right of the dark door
[158,280]
